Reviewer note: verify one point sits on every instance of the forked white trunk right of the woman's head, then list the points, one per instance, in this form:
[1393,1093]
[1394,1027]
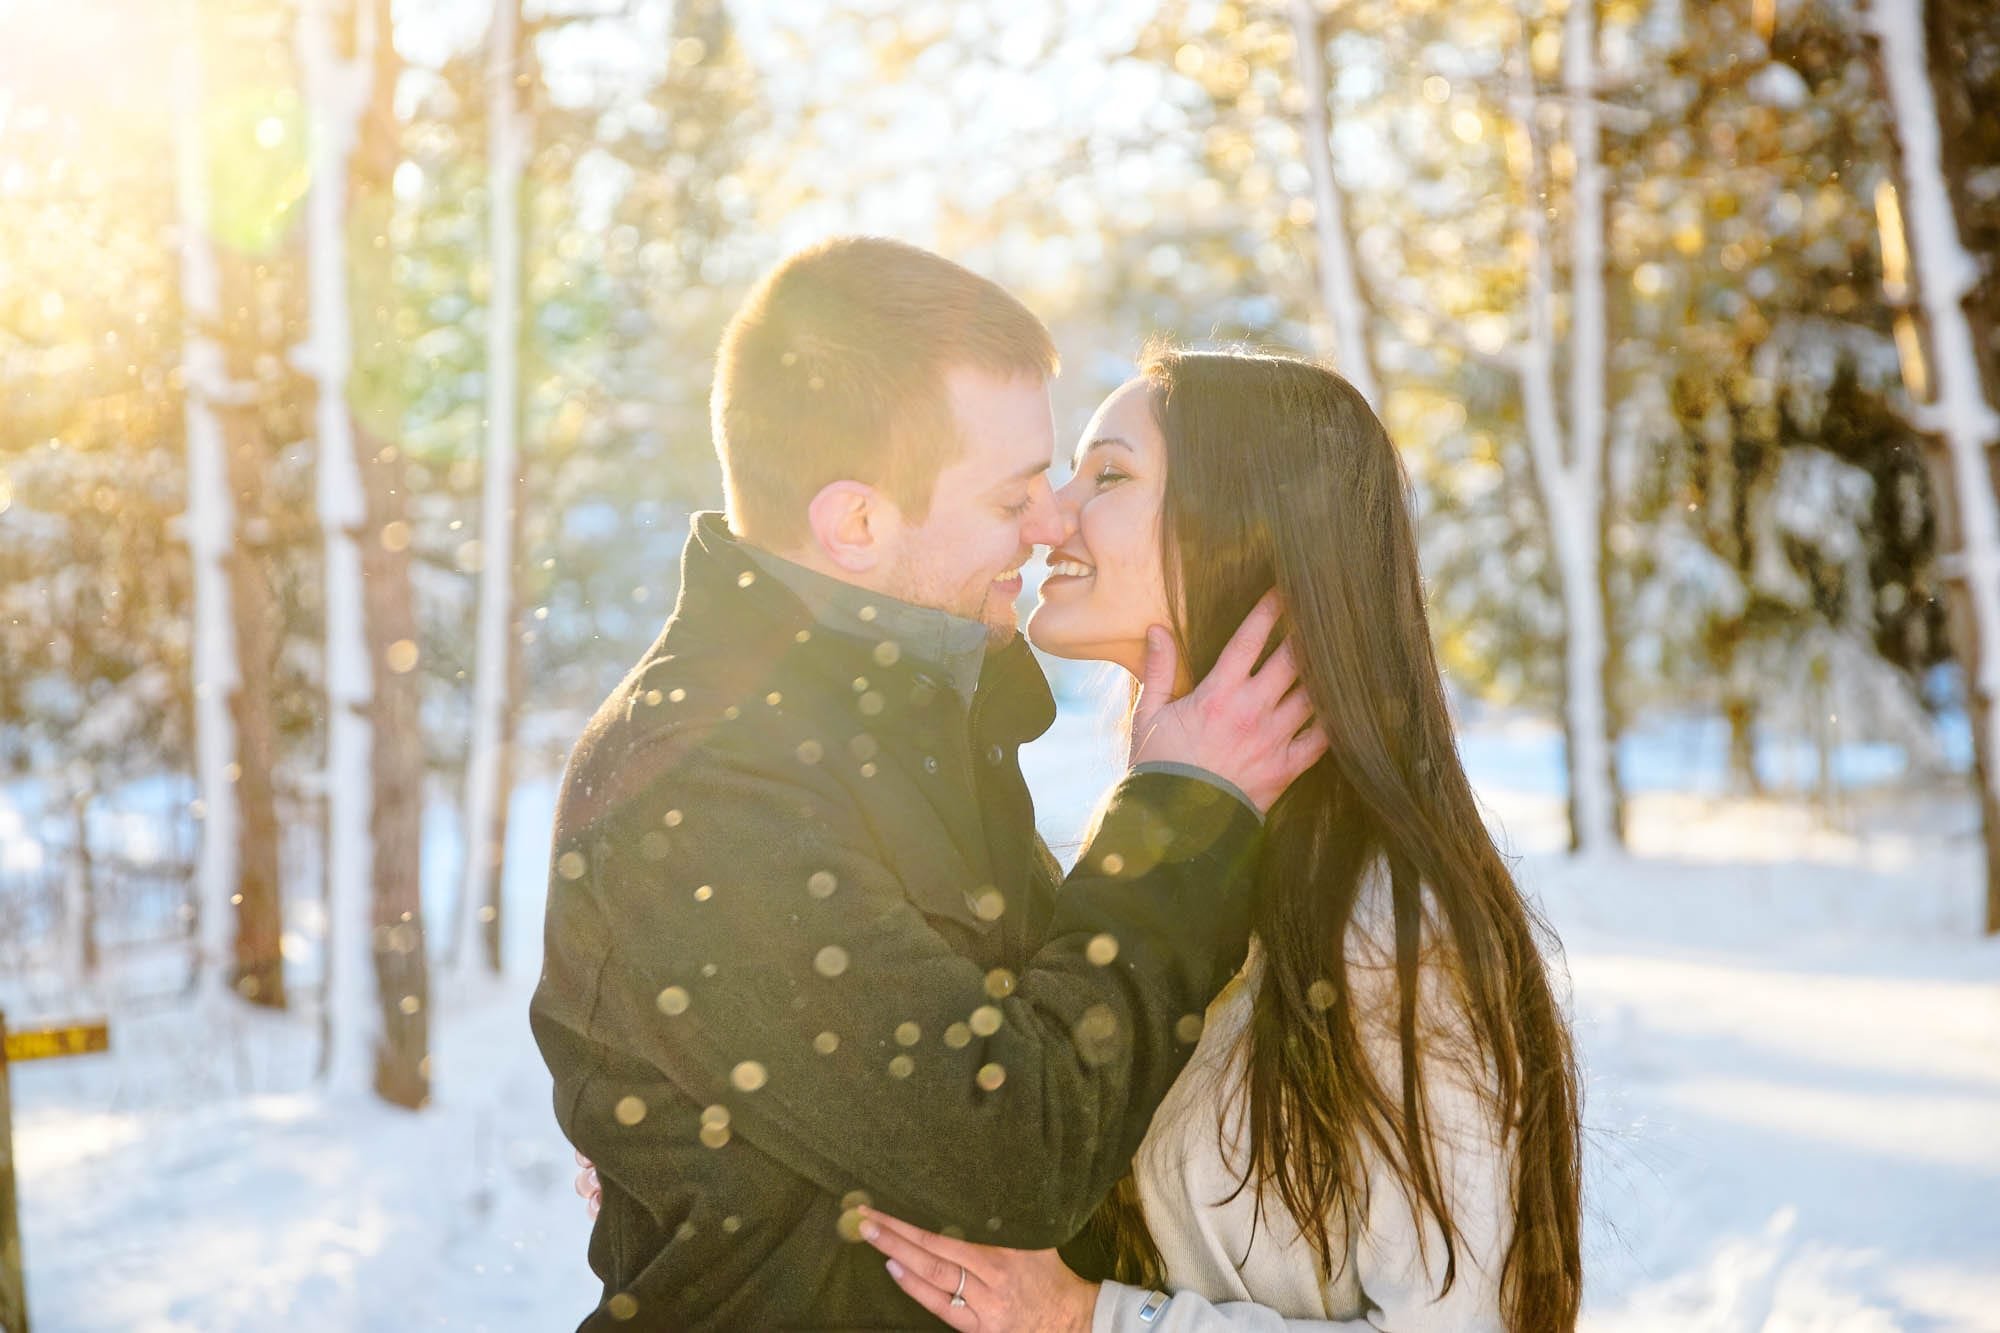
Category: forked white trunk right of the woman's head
[1569,461]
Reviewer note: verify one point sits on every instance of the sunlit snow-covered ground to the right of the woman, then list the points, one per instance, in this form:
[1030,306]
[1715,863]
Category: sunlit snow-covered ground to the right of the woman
[1793,1048]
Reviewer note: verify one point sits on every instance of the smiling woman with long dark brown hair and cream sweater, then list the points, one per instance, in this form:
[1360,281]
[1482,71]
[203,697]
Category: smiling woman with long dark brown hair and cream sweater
[1379,1126]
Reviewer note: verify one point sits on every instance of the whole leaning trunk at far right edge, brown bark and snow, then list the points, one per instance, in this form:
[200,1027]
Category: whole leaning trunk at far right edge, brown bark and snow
[1957,379]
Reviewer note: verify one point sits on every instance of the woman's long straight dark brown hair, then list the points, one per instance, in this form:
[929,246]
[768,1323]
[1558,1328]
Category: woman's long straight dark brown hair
[1281,475]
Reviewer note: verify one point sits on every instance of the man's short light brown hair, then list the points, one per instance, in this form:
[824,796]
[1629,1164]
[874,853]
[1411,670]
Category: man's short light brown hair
[833,369]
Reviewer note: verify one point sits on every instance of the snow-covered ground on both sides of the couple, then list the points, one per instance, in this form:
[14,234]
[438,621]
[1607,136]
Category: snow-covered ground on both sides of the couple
[1791,1030]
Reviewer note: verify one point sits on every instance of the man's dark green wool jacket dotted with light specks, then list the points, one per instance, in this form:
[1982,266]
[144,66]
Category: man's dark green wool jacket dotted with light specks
[805,950]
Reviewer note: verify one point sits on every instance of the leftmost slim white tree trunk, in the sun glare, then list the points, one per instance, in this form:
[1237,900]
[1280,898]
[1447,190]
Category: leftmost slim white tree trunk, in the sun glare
[211,523]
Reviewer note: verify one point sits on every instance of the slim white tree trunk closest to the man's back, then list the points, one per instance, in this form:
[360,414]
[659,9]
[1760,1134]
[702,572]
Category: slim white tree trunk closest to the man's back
[507,149]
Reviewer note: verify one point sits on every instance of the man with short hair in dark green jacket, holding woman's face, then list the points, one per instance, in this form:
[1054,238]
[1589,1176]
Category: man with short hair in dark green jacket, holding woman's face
[805,950]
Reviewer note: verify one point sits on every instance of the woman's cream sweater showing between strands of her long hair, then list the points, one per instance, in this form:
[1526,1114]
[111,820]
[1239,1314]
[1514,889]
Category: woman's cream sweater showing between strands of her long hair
[1231,1270]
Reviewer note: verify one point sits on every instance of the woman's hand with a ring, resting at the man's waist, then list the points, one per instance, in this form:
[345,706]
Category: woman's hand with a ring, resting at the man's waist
[1005,1290]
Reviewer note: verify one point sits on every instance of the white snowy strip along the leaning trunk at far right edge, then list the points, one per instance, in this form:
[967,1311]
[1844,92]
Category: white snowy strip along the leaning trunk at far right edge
[1959,409]
